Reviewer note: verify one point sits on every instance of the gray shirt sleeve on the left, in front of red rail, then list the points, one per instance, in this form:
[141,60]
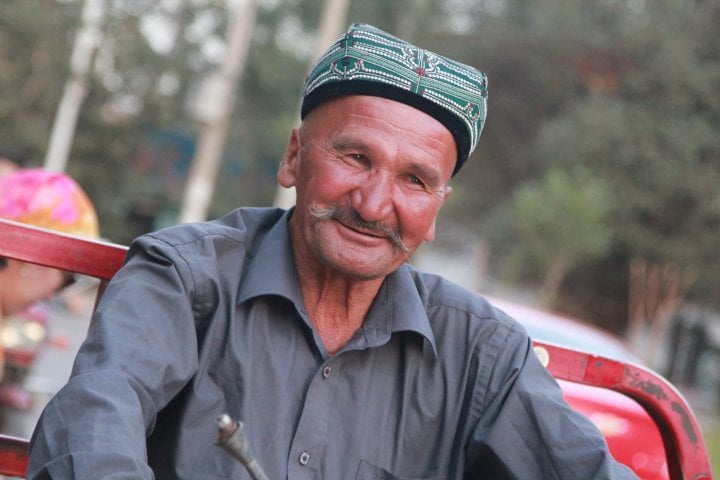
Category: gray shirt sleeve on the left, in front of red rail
[140,351]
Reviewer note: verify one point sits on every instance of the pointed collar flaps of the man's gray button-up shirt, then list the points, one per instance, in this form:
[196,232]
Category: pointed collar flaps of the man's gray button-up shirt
[398,307]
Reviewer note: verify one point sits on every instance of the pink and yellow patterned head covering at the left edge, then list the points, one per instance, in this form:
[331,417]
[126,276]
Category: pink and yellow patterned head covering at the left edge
[47,199]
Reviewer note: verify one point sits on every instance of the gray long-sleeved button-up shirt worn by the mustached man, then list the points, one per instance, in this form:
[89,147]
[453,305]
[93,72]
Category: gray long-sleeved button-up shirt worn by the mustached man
[208,318]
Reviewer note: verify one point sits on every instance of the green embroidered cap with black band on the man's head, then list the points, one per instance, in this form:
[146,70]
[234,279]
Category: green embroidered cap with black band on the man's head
[368,61]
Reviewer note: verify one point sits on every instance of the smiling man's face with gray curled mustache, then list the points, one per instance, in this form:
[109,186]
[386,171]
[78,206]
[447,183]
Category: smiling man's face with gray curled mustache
[371,175]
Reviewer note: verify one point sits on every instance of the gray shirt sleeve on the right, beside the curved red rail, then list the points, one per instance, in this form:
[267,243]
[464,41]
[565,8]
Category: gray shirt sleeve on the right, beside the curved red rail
[528,431]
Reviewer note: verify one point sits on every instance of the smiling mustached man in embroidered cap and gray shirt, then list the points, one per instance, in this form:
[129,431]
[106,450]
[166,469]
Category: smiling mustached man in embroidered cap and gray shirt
[342,360]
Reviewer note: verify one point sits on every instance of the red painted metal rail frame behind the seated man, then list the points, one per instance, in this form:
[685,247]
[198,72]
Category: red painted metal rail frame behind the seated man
[687,454]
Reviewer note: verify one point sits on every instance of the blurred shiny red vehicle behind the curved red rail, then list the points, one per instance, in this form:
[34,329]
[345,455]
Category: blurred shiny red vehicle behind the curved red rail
[632,436]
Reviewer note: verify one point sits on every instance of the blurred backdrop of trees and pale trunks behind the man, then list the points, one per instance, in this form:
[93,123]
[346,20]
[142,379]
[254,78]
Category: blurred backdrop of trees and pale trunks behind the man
[593,191]
